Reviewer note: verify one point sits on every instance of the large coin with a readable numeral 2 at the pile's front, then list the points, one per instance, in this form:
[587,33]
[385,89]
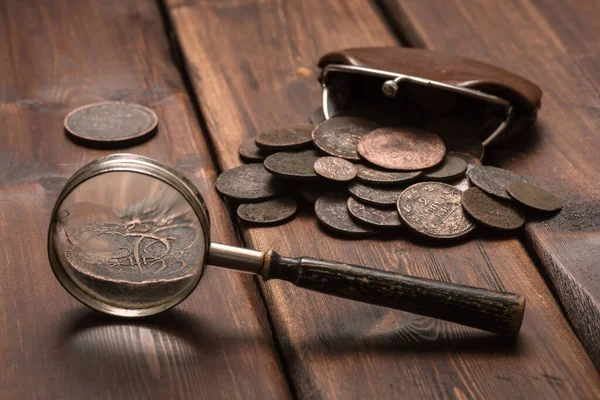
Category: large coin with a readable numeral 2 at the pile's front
[434,209]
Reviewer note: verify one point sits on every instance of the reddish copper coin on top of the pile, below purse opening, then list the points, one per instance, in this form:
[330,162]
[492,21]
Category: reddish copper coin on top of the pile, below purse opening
[406,149]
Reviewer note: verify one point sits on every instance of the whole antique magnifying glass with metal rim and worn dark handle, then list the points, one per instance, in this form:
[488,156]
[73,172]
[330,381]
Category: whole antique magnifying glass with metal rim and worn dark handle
[129,236]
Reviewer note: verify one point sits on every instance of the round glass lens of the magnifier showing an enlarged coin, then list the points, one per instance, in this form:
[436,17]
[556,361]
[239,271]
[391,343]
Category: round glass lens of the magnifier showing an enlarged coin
[129,240]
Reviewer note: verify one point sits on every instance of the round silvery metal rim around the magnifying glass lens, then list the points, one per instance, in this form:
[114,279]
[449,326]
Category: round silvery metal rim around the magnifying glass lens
[136,164]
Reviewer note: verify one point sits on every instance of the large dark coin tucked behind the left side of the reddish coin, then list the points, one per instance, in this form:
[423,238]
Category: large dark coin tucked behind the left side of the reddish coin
[340,136]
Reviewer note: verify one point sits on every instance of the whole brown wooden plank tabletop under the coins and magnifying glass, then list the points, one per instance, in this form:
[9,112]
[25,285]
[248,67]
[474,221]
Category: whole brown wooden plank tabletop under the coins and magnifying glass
[217,72]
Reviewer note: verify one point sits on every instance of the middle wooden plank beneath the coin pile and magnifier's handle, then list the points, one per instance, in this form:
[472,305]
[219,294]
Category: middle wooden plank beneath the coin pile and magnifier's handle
[261,74]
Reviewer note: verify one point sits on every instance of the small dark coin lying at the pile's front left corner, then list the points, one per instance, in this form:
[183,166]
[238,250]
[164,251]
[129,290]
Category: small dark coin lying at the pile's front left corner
[268,212]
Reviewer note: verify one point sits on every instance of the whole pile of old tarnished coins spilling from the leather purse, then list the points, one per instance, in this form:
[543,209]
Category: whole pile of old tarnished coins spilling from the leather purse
[364,178]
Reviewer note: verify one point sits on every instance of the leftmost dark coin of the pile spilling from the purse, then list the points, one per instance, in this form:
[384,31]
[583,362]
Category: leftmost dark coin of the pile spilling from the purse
[248,182]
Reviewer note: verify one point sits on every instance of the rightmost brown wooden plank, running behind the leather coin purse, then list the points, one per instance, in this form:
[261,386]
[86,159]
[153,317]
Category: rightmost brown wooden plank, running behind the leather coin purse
[555,44]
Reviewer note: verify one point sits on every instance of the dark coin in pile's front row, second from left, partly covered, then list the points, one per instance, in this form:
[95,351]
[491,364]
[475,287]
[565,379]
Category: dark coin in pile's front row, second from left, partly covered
[332,210]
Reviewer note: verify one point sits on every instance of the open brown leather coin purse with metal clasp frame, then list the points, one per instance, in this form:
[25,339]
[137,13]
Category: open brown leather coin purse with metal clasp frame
[391,85]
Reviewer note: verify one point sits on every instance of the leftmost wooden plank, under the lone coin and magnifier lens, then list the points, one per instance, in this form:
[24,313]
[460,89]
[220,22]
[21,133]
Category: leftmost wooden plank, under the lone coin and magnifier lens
[217,344]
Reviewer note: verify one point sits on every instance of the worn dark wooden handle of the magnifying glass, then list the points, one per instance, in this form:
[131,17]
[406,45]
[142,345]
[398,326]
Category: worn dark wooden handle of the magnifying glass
[492,311]
